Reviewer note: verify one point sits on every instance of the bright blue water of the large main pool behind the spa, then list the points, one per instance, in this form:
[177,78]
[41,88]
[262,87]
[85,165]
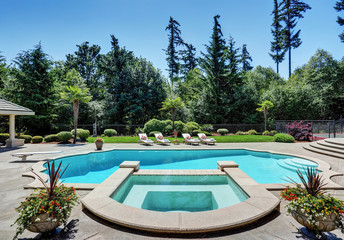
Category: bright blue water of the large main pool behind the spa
[261,166]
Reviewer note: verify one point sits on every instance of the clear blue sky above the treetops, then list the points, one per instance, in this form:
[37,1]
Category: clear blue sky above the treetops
[140,26]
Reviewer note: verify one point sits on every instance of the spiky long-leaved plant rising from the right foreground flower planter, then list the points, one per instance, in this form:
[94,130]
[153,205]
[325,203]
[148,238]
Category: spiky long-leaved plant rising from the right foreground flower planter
[313,183]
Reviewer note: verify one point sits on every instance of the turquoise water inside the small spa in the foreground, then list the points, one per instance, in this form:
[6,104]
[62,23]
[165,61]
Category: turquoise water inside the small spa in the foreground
[179,193]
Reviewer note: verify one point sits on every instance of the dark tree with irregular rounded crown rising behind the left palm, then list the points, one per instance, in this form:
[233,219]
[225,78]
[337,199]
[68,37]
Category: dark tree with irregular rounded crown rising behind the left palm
[84,61]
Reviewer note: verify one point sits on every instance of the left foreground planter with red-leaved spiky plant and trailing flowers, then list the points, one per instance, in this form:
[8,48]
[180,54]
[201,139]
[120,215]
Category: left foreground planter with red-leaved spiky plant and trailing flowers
[46,209]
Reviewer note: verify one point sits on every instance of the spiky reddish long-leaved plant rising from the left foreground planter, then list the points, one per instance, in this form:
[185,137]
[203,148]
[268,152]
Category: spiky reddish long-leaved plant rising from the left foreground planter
[54,178]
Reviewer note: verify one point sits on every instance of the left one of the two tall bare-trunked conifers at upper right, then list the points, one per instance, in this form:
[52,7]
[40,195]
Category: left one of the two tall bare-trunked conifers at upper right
[277,49]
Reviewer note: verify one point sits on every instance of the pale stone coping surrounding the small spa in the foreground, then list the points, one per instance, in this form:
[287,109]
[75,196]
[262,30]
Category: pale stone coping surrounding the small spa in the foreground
[260,203]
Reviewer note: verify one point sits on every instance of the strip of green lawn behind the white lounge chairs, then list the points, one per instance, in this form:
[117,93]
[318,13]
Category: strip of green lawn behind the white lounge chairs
[219,139]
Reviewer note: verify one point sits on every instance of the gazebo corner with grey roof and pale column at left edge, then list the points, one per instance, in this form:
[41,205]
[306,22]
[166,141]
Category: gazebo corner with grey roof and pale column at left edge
[12,109]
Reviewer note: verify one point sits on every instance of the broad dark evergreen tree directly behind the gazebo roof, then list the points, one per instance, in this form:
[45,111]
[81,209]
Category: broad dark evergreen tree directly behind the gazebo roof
[34,88]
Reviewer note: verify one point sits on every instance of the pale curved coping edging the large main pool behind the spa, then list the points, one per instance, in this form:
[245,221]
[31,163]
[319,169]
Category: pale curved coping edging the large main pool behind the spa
[324,167]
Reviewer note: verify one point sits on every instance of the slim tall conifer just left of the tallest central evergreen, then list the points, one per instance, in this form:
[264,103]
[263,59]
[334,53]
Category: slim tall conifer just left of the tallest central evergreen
[174,40]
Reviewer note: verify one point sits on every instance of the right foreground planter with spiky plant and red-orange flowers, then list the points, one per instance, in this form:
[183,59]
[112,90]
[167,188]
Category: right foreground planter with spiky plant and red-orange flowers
[311,207]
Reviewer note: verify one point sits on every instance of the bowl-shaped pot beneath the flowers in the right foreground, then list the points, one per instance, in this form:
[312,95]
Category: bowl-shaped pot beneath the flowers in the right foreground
[326,225]
